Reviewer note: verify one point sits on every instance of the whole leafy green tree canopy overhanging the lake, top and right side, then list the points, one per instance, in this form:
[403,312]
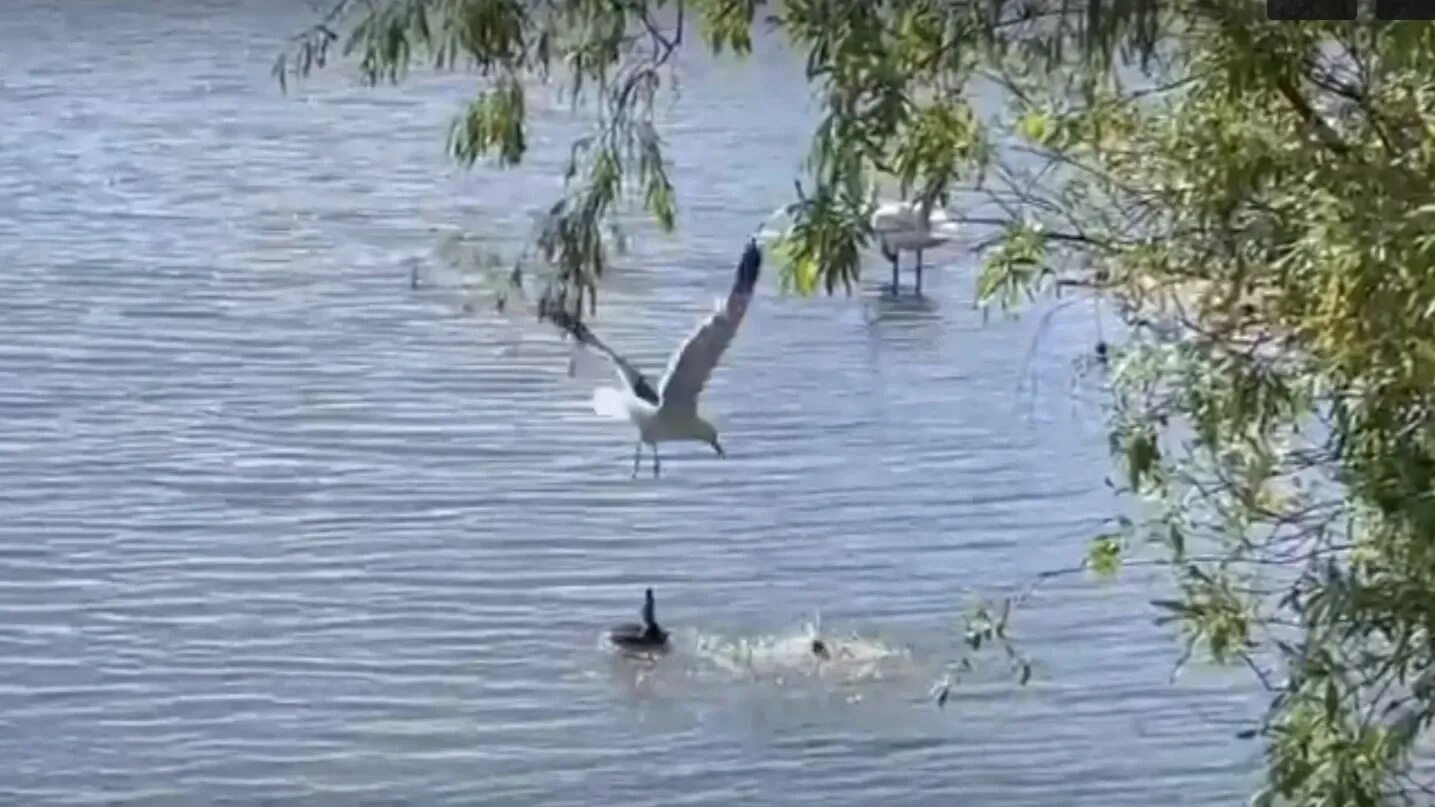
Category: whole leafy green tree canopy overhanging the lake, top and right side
[1255,196]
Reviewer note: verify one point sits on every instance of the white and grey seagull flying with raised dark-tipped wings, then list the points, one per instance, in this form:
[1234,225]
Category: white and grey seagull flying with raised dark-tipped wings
[669,411]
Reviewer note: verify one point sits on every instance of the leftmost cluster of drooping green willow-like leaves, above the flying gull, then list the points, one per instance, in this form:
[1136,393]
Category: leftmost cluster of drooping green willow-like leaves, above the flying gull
[611,57]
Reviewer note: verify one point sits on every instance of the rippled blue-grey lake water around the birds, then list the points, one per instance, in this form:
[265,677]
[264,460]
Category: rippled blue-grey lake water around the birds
[276,528]
